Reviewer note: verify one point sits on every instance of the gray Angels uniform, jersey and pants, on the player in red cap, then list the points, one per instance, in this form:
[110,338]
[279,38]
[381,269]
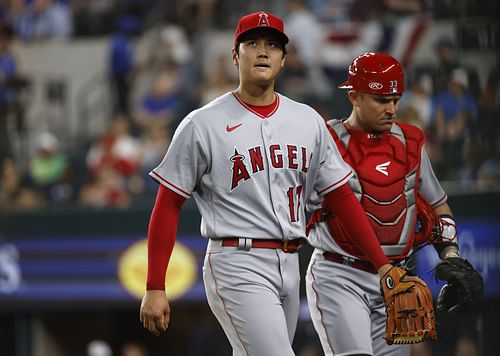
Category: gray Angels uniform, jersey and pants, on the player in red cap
[250,177]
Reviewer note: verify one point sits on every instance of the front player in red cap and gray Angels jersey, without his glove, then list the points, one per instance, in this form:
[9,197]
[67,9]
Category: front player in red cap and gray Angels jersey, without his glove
[251,159]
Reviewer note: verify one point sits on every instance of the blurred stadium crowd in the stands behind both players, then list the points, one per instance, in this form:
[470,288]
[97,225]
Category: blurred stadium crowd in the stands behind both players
[457,109]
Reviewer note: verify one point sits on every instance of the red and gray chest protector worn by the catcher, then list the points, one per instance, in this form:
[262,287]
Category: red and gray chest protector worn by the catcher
[386,173]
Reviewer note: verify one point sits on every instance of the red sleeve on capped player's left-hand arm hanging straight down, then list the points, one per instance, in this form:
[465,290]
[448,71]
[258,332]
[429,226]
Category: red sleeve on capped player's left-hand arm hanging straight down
[161,235]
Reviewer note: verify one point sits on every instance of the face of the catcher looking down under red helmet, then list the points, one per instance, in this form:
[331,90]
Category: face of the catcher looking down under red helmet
[375,112]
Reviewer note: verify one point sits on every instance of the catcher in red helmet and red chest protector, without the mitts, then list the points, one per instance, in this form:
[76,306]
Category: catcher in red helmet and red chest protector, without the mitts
[392,179]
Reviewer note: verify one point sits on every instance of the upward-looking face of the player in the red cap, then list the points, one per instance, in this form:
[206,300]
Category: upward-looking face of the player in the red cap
[259,58]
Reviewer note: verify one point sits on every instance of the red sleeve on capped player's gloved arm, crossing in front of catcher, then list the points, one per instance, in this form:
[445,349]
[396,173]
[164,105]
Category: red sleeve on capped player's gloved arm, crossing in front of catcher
[347,208]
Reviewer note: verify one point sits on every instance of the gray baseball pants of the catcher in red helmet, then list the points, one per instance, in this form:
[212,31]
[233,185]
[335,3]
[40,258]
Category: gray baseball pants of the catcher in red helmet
[347,309]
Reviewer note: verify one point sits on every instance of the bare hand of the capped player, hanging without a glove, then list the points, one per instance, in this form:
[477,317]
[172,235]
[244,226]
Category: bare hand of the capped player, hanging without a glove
[155,311]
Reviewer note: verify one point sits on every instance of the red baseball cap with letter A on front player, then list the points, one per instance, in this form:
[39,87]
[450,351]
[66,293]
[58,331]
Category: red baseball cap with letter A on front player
[260,20]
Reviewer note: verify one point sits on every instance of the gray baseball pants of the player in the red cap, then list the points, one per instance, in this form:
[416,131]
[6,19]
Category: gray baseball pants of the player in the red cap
[255,296]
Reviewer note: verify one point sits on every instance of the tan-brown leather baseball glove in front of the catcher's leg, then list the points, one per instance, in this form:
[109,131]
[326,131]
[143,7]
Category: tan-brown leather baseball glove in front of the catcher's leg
[410,313]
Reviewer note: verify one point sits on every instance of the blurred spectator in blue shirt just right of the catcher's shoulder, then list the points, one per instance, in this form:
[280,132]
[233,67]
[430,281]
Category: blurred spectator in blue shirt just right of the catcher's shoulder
[455,111]
